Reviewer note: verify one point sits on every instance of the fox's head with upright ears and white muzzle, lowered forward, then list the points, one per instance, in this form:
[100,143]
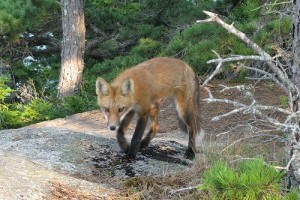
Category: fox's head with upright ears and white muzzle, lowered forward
[115,101]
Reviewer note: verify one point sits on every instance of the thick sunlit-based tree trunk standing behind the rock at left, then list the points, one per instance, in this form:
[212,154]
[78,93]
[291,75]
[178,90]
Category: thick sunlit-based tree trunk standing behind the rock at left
[73,44]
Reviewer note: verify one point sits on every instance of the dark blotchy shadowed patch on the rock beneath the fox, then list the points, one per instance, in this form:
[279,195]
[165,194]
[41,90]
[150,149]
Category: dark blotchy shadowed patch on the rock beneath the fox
[159,157]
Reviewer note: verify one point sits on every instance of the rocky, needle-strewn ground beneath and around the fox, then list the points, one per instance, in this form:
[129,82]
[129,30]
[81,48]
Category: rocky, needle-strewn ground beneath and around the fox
[78,158]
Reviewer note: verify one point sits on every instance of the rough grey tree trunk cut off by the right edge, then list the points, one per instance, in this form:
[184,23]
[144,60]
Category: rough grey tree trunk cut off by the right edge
[294,139]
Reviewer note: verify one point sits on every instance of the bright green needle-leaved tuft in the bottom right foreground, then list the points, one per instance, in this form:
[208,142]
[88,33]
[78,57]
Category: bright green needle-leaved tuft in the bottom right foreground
[251,179]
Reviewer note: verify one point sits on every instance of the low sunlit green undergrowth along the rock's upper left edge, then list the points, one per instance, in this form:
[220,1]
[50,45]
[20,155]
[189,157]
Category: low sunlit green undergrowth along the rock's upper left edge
[14,115]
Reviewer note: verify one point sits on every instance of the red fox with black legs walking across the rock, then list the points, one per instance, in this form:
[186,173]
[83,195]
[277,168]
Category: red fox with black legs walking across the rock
[139,90]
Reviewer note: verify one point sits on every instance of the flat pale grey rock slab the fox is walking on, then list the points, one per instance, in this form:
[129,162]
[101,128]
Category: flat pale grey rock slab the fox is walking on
[78,154]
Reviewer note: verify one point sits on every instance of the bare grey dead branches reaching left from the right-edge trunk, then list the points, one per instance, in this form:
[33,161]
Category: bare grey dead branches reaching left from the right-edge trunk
[279,76]
